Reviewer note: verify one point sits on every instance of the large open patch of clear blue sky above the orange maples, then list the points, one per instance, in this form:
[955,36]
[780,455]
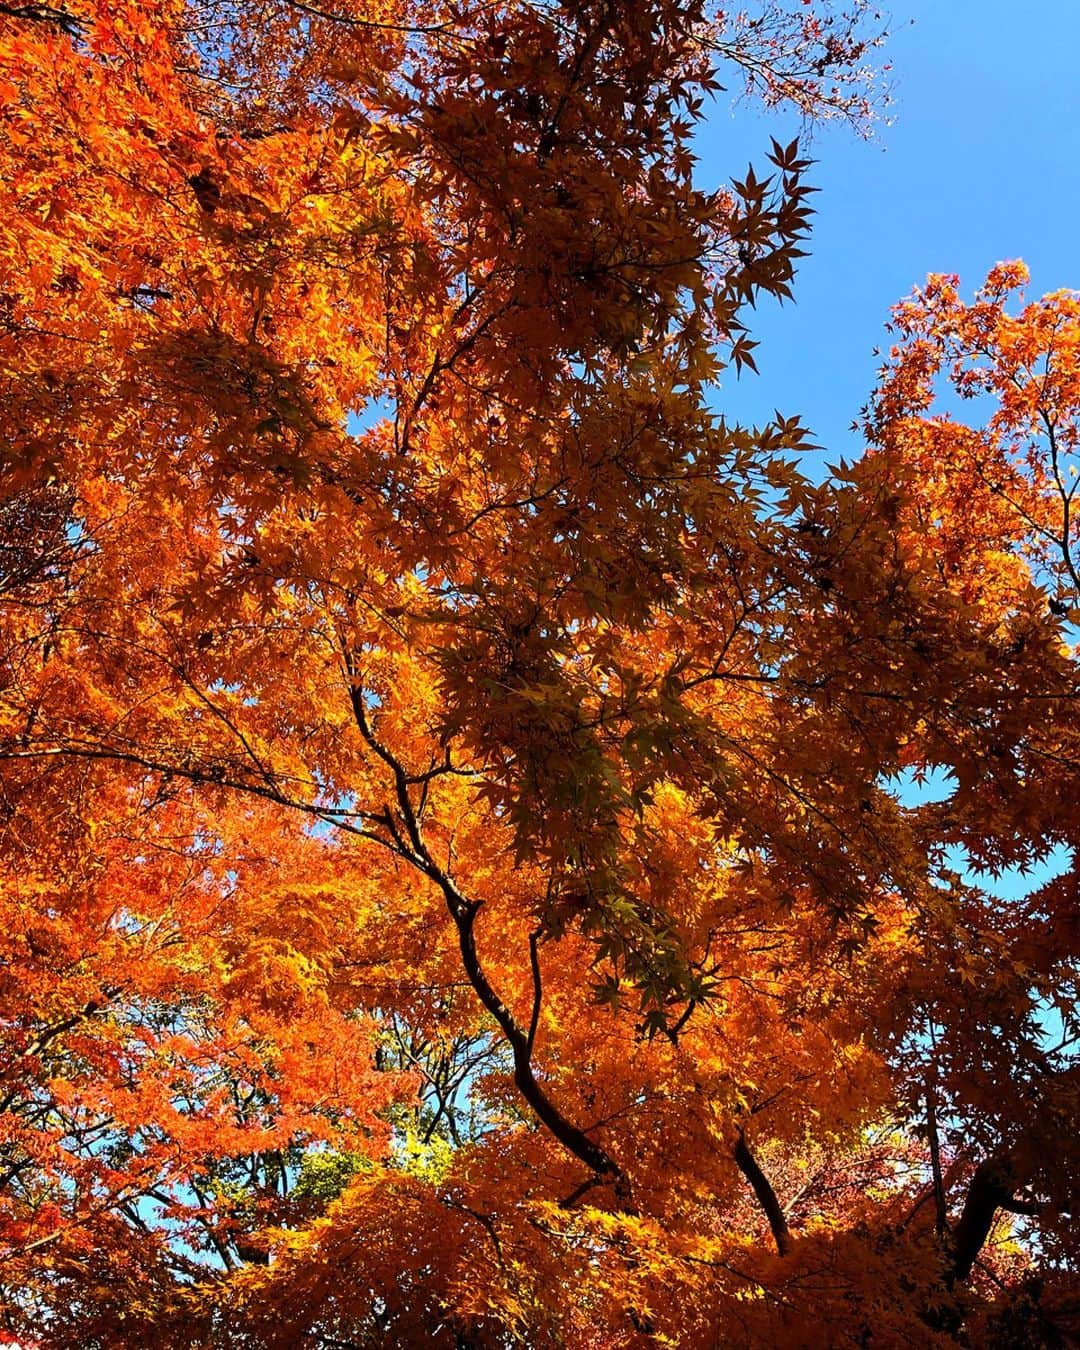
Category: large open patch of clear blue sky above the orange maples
[982,163]
